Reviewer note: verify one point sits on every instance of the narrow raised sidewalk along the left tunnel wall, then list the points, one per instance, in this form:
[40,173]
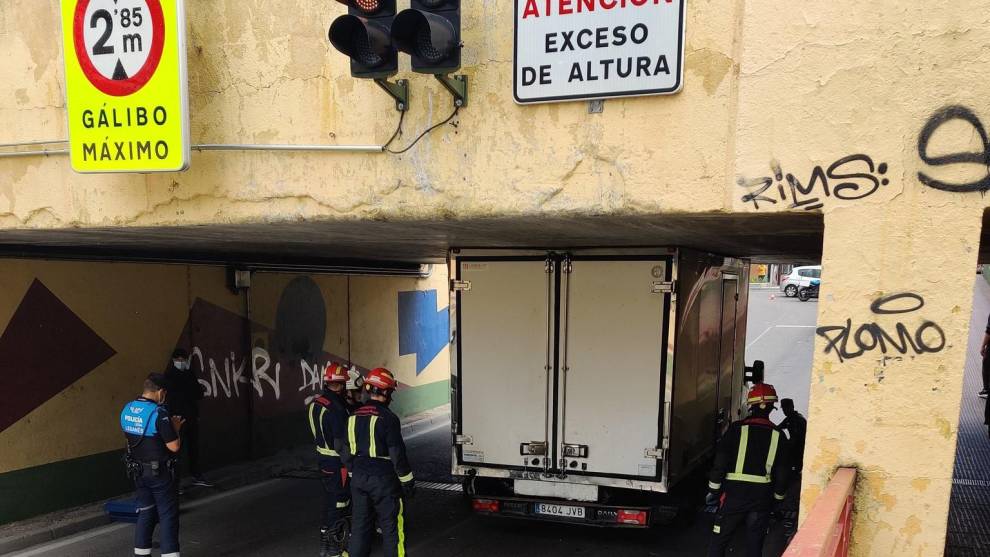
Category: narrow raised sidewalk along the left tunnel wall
[294,462]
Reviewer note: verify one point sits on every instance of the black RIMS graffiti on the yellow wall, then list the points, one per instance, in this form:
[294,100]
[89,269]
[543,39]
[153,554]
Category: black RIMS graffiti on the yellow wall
[848,178]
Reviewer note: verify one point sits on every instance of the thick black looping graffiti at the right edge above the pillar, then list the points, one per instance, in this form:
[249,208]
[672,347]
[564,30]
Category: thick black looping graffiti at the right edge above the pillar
[982,157]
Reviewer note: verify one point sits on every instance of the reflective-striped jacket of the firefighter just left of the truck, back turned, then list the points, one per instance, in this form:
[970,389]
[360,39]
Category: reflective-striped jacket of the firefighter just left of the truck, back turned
[374,443]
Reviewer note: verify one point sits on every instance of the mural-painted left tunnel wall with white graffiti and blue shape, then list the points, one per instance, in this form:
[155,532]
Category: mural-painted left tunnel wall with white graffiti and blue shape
[78,338]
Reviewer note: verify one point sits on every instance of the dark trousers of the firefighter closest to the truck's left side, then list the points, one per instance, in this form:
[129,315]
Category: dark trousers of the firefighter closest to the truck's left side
[377,497]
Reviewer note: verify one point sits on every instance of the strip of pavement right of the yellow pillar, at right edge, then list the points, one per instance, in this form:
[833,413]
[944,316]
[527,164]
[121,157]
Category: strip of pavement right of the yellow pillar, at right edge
[969,506]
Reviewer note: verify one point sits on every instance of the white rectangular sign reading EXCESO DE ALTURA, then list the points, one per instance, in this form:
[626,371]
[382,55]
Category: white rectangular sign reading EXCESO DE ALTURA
[594,49]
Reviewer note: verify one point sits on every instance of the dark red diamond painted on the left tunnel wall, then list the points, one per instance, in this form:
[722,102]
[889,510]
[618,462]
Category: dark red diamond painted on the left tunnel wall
[45,348]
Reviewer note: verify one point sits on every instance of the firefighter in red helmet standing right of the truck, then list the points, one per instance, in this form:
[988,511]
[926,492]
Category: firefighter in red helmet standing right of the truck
[749,476]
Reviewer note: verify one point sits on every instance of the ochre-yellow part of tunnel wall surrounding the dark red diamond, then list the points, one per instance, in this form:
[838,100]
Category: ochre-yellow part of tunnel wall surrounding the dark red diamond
[114,301]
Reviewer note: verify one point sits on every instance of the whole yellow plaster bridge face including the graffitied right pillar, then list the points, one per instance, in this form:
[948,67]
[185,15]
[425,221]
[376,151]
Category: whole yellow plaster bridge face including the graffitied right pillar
[796,88]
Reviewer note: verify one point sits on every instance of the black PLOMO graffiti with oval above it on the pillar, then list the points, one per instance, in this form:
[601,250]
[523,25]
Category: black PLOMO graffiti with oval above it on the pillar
[905,336]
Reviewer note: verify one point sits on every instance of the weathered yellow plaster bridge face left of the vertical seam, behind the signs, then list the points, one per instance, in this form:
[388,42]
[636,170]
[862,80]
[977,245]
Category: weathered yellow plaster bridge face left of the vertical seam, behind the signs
[263,72]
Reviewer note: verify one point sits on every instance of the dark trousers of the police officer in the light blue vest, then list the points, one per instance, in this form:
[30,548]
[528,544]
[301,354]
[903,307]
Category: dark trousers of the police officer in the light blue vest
[158,505]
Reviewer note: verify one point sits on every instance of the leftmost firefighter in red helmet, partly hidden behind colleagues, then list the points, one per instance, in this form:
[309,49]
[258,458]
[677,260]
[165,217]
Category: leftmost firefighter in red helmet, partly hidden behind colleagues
[328,422]
